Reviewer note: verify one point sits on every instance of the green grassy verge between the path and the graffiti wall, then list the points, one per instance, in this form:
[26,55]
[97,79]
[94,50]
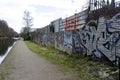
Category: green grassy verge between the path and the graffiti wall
[82,66]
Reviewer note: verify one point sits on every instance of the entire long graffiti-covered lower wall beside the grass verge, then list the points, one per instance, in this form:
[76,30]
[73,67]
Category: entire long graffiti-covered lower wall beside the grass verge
[99,39]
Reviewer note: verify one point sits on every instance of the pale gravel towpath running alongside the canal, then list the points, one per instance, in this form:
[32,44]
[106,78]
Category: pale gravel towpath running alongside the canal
[26,65]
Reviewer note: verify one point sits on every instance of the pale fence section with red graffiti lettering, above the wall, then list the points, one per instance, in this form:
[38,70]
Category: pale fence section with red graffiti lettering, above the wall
[76,21]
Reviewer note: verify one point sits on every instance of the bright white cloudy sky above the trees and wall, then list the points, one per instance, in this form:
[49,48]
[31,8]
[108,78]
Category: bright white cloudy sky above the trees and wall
[42,11]
